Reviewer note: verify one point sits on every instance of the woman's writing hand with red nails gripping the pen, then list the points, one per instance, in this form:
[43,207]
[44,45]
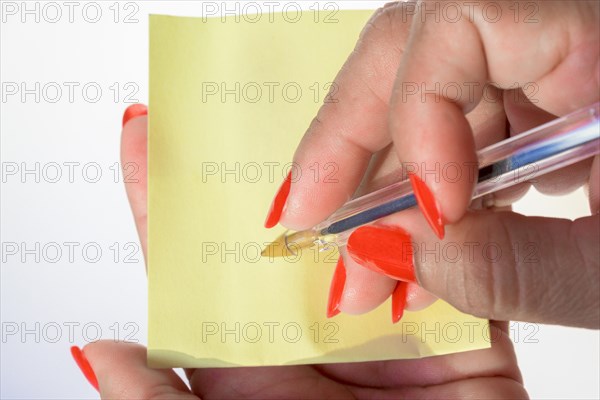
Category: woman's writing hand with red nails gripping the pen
[434,83]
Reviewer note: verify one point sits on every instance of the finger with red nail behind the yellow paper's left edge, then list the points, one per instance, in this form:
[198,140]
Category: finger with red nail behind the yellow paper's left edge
[134,140]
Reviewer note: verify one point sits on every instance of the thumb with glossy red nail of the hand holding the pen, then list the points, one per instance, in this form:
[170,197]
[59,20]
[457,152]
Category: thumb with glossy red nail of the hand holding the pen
[502,265]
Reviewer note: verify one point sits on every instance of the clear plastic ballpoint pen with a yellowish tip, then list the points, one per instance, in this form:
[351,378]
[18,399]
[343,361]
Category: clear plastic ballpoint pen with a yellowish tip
[551,146]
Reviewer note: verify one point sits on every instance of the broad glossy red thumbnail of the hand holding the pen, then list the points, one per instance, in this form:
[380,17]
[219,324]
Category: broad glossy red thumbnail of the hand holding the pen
[387,250]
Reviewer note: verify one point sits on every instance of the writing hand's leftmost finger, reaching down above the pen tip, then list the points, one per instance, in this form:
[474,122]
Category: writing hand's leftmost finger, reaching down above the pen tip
[345,133]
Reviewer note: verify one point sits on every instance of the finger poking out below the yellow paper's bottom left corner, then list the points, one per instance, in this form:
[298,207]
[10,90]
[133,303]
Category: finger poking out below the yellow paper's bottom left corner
[121,372]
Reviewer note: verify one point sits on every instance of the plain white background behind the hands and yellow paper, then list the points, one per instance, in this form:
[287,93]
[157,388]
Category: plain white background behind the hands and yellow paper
[53,305]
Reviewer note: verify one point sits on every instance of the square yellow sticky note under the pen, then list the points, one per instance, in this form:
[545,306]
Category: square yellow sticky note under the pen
[218,150]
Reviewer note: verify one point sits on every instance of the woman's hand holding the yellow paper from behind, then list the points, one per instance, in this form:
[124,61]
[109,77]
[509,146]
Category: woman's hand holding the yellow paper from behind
[119,370]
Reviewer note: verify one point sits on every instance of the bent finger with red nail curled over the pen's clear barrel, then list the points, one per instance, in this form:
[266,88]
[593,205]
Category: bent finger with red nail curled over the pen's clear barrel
[429,131]
